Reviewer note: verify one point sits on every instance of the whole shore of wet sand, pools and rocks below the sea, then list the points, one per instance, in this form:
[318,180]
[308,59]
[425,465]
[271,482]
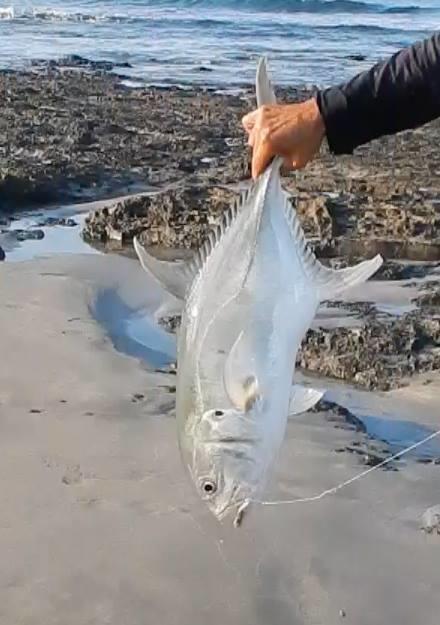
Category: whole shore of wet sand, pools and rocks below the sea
[99,525]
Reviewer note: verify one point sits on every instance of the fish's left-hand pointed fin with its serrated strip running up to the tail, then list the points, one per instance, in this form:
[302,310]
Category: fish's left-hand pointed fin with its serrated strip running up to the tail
[177,277]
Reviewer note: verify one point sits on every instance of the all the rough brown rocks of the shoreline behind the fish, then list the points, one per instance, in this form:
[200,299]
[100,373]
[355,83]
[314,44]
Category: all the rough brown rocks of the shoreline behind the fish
[73,132]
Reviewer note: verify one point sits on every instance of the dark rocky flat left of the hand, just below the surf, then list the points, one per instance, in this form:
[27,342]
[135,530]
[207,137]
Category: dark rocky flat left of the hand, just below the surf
[74,135]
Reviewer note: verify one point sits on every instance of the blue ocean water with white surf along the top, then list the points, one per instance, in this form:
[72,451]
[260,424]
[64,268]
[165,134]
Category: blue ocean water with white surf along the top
[216,42]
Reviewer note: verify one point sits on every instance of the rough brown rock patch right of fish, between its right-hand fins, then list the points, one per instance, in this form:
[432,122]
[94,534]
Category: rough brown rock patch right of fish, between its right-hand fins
[380,355]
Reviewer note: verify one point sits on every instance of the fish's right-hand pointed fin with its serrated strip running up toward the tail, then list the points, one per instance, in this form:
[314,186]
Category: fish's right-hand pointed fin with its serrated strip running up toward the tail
[329,282]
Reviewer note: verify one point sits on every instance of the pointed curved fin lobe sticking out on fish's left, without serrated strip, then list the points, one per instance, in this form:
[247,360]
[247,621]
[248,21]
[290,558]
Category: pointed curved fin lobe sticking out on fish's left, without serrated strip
[175,277]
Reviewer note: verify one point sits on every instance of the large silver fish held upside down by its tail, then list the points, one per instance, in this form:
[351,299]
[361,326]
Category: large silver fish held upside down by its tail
[249,295]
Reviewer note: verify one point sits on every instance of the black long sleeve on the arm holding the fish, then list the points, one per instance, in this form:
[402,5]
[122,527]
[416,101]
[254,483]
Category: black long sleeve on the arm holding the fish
[400,93]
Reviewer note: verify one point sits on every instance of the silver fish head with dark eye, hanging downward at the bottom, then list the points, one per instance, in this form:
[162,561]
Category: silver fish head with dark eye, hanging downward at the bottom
[228,461]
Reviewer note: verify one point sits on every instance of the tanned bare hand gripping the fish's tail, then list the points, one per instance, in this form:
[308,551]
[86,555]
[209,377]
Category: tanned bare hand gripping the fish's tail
[293,131]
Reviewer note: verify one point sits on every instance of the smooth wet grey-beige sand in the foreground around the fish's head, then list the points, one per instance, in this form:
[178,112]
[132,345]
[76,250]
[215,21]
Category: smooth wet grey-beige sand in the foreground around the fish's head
[99,524]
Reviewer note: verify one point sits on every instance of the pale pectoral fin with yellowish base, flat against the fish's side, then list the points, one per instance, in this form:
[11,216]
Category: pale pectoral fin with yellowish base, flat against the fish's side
[240,377]
